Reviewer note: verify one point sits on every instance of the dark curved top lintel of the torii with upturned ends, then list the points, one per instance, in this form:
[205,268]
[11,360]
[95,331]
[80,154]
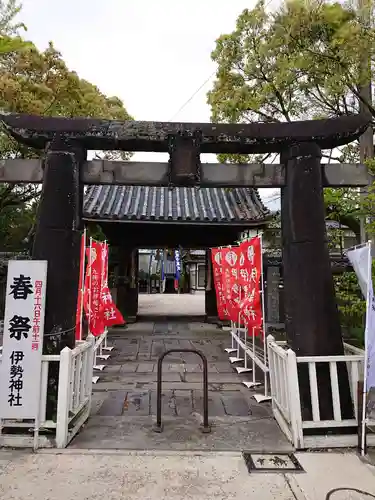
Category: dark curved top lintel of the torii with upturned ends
[95,134]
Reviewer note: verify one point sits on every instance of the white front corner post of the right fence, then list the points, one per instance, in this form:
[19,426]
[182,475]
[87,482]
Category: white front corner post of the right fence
[294,399]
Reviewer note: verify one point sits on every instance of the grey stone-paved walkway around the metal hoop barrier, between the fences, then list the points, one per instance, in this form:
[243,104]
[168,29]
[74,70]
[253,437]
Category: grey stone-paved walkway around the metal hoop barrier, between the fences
[124,399]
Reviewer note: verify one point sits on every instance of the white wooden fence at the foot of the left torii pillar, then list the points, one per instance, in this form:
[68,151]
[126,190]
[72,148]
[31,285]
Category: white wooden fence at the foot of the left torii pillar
[73,402]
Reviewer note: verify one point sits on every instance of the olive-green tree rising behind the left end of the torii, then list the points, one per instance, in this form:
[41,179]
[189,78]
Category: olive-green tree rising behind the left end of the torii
[39,82]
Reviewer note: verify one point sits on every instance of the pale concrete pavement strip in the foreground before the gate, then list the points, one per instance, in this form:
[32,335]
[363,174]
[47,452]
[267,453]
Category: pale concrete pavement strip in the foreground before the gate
[94,475]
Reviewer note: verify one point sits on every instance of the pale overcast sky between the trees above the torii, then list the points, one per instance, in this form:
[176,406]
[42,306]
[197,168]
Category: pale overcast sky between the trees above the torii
[153,55]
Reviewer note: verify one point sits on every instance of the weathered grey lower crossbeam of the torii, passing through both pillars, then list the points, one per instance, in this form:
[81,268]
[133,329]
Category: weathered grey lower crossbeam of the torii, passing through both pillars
[212,174]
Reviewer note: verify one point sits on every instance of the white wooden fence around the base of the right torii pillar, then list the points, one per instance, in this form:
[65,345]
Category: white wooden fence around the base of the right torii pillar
[285,391]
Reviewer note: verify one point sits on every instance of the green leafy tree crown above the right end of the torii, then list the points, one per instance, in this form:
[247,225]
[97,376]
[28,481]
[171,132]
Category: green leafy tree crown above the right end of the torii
[298,62]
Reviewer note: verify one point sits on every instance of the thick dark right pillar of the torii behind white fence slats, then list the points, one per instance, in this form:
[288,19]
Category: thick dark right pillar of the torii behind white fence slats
[312,318]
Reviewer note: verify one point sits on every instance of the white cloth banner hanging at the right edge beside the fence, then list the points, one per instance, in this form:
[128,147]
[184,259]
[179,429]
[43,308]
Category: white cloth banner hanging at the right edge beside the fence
[361,260]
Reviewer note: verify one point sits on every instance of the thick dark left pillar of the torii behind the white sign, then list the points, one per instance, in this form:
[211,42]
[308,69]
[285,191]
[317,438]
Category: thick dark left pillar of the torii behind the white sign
[57,240]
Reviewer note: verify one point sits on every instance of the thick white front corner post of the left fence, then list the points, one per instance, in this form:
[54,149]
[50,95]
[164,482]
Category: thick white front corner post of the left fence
[63,398]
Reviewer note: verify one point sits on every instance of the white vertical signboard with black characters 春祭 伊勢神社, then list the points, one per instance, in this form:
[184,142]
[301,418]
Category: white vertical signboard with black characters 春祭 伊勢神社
[20,368]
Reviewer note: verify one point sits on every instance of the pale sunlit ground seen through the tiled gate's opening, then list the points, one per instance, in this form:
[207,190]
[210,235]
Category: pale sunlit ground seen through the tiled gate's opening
[165,304]
